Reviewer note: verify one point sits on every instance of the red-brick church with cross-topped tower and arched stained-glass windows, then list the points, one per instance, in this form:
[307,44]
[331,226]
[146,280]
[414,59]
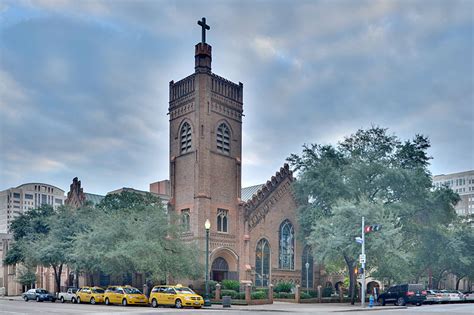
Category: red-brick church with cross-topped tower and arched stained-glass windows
[254,230]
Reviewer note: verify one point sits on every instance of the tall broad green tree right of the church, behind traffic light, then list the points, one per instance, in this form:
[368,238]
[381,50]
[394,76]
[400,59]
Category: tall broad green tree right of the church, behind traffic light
[369,173]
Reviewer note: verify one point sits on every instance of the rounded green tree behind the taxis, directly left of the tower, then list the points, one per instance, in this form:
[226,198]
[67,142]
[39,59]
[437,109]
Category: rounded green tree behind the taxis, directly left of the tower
[133,232]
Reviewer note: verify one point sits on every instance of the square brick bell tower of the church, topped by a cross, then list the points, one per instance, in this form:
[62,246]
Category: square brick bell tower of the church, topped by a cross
[205,154]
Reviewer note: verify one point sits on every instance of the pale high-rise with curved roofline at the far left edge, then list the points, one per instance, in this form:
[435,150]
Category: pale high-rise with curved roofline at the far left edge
[14,201]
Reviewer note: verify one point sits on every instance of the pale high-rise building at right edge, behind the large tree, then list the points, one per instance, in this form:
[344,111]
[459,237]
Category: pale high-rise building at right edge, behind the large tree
[461,183]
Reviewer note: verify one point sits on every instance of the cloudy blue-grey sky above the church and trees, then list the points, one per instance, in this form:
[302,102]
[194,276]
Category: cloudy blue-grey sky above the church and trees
[84,84]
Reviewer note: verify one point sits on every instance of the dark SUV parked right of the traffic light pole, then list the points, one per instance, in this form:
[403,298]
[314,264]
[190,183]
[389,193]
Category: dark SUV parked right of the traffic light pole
[403,294]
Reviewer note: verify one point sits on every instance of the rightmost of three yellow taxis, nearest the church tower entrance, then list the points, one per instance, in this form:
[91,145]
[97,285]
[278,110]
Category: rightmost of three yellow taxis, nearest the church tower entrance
[177,295]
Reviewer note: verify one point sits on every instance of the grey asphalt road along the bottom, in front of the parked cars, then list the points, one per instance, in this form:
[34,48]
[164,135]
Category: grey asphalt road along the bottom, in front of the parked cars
[20,307]
